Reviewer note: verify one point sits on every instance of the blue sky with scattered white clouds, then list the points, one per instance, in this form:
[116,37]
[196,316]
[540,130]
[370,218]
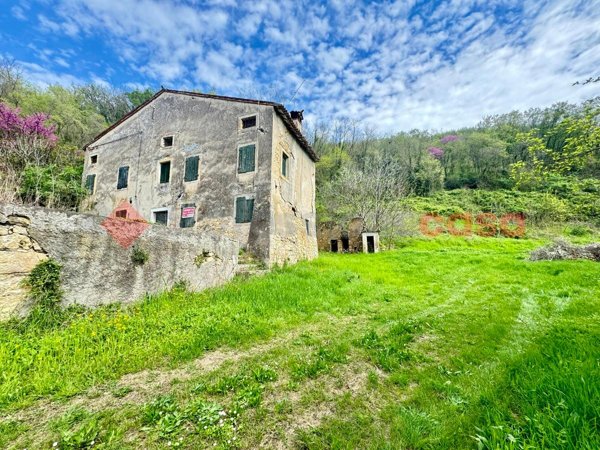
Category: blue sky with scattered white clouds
[391,66]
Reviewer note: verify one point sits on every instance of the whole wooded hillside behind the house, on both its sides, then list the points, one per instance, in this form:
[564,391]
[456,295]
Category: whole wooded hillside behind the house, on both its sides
[543,163]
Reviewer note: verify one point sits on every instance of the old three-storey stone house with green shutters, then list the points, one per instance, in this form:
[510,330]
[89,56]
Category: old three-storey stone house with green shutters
[236,166]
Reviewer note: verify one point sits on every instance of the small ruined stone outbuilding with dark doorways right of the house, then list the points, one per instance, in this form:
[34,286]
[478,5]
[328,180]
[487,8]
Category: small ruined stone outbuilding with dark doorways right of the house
[332,237]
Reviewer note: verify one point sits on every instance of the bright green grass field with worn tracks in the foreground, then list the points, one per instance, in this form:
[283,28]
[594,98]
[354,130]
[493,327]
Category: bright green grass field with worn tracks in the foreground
[445,343]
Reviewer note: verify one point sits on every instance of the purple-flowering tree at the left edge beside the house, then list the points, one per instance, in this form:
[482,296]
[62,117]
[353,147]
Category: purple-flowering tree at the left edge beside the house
[24,141]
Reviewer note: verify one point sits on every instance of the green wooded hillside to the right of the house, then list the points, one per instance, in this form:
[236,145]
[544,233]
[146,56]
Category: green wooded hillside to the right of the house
[543,163]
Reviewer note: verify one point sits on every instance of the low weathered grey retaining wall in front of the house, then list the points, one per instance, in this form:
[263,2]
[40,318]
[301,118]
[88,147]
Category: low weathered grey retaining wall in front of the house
[96,269]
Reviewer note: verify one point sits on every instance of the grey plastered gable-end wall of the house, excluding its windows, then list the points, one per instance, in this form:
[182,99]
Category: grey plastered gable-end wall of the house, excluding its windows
[207,128]
